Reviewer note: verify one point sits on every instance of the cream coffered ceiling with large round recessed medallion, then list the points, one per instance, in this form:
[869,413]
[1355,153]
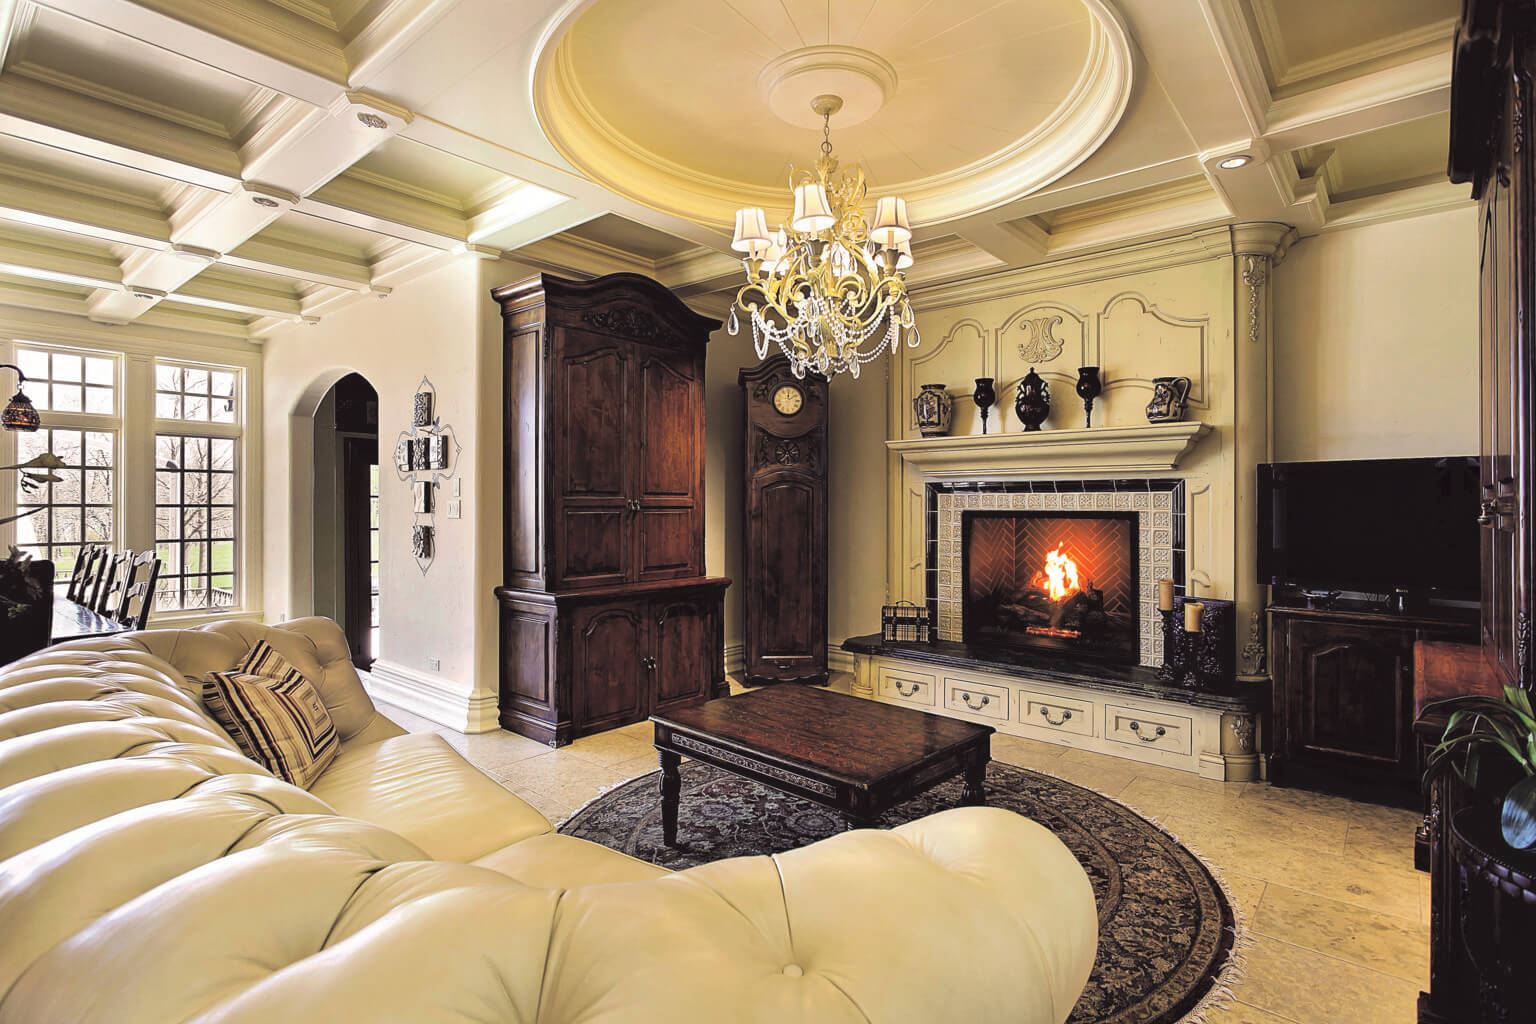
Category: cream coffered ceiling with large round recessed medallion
[247,167]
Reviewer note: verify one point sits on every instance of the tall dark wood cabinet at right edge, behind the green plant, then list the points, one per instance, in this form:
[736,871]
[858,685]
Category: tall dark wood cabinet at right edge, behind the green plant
[1480,966]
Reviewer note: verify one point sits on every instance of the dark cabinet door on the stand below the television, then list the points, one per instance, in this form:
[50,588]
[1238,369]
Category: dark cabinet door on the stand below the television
[1354,695]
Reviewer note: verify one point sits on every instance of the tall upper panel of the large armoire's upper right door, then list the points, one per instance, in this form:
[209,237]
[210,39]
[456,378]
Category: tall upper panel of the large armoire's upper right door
[670,421]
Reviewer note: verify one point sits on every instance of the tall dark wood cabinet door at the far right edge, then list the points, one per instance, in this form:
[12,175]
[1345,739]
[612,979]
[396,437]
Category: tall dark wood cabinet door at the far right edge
[1506,266]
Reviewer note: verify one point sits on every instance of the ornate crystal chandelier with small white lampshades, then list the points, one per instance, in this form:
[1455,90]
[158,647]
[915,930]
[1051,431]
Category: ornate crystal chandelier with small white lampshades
[833,282]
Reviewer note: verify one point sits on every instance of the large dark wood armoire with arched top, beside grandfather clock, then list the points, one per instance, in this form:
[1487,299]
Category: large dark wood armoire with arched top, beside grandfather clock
[606,612]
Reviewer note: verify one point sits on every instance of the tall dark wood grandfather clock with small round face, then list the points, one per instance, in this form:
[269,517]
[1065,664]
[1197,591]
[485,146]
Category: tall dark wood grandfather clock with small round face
[784,540]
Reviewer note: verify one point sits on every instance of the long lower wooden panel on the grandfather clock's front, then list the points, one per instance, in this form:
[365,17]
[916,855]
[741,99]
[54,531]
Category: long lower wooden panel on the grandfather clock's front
[787,512]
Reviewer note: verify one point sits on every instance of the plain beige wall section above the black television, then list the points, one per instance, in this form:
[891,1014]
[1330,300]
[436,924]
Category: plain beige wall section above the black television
[1377,342]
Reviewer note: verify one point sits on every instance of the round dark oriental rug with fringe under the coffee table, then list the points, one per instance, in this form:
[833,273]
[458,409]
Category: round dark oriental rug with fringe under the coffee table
[1167,930]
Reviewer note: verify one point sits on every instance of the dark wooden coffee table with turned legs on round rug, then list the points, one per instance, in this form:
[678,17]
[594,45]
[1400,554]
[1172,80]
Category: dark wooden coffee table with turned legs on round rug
[839,751]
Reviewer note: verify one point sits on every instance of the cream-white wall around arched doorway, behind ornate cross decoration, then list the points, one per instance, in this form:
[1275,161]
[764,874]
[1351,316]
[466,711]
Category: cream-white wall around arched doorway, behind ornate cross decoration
[432,328]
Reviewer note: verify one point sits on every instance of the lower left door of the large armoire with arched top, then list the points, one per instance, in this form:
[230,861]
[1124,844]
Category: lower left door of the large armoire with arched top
[611,644]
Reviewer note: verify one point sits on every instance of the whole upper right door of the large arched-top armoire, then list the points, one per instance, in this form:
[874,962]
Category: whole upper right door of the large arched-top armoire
[669,466]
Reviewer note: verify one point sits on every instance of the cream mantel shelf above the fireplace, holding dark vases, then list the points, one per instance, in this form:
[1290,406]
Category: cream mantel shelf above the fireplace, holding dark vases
[1142,449]
